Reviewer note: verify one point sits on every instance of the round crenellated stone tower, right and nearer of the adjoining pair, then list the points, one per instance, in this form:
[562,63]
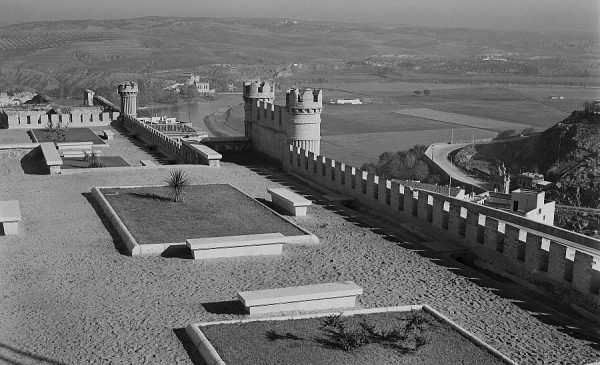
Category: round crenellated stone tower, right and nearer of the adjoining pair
[304,107]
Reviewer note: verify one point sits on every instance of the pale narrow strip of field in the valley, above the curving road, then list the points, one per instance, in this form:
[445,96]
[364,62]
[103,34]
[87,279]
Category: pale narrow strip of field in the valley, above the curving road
[461,119]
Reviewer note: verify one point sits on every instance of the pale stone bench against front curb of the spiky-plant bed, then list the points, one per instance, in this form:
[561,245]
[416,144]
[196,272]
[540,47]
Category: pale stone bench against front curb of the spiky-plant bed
[231,246]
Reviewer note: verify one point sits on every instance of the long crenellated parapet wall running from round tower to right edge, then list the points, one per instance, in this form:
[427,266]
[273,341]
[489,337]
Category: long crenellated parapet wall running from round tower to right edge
[557,261]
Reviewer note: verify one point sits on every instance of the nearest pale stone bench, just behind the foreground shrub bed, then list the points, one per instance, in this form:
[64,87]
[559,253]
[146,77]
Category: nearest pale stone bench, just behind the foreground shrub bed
[307,297]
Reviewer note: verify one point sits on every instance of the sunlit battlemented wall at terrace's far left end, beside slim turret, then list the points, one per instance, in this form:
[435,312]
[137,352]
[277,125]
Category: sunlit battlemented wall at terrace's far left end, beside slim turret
[39,119]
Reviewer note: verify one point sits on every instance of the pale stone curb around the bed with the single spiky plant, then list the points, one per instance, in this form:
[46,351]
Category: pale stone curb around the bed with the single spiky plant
[156,249]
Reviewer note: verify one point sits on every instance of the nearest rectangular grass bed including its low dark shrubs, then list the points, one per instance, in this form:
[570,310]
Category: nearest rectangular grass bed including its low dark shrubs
[396,337]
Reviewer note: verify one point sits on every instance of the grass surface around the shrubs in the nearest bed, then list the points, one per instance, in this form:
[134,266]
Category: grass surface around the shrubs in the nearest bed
[304,341]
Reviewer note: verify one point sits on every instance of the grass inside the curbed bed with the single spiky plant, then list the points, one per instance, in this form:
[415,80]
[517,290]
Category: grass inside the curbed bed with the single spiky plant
[208,211]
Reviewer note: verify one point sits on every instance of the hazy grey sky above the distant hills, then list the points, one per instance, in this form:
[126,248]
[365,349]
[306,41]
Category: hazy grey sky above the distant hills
[540,15]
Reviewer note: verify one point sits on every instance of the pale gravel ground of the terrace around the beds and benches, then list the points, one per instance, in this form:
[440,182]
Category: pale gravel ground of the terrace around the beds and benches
[69,296]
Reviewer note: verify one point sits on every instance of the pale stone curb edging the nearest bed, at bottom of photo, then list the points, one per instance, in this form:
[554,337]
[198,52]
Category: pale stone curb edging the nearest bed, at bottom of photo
[211,357]
